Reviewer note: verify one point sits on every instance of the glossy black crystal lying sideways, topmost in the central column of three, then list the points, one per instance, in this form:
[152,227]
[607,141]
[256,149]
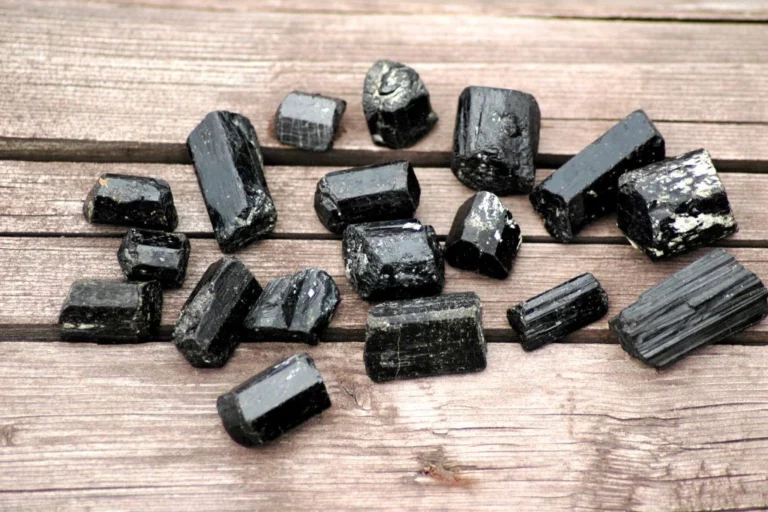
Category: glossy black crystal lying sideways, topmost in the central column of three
[366,194]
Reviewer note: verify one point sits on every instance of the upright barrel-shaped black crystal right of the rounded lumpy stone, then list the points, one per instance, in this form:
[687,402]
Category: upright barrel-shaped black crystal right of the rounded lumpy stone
[496,139]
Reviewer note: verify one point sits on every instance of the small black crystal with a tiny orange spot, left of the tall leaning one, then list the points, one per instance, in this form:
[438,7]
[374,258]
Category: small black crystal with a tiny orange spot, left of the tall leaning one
[131,201]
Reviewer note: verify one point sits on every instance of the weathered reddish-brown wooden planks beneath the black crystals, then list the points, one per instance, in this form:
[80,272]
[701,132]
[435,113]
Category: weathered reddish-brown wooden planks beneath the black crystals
[116,85]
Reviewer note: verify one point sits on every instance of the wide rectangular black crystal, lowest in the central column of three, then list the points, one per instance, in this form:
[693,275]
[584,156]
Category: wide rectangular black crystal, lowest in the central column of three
[425,337]
